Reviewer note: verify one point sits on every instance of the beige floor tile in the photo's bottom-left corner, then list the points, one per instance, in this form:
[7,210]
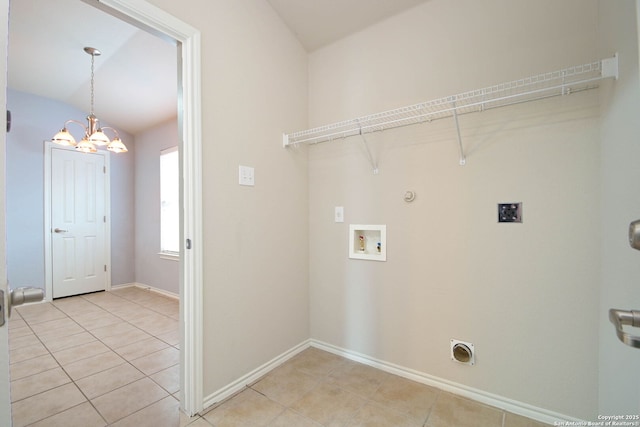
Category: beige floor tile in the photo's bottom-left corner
[43,405]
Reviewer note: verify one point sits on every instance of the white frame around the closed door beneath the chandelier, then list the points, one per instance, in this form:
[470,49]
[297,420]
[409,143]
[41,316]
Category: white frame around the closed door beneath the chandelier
[48,252]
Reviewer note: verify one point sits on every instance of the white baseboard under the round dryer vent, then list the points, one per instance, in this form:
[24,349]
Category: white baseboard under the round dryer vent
[500,402]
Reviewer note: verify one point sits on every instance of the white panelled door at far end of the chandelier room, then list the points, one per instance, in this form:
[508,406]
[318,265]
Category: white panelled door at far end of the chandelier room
[78,222]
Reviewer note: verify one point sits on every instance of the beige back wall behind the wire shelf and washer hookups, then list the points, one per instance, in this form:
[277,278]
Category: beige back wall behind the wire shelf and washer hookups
[527,295]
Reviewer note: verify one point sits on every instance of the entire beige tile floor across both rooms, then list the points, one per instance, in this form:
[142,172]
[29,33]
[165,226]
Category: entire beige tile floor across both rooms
[111,358]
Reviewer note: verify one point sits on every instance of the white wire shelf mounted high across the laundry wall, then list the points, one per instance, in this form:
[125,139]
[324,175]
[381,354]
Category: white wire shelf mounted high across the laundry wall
[555,83]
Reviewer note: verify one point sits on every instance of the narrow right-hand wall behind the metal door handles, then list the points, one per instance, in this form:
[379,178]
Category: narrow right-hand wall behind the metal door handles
[619,366]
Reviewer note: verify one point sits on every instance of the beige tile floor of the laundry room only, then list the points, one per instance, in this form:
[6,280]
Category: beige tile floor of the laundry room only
[316,389]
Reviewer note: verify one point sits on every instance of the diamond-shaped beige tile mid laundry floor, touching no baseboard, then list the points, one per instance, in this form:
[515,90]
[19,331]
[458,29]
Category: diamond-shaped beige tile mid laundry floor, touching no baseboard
[329,405]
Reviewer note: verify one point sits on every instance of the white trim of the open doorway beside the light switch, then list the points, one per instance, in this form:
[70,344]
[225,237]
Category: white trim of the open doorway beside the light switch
[141,12]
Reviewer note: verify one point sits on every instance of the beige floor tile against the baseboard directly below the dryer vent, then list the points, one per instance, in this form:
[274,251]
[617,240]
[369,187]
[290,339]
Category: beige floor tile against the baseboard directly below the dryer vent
[451,410]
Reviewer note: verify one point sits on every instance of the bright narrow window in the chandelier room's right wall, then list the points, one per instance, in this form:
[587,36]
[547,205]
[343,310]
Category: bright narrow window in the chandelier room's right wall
[169,203]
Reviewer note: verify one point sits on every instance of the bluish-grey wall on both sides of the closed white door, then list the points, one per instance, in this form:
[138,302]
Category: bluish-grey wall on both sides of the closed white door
[34,120]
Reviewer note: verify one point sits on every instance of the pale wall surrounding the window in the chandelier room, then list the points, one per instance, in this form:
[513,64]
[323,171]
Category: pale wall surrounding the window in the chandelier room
[150,269]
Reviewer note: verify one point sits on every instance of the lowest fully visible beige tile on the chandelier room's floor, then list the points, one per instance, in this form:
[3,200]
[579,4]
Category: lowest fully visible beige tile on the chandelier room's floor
[119,403]
